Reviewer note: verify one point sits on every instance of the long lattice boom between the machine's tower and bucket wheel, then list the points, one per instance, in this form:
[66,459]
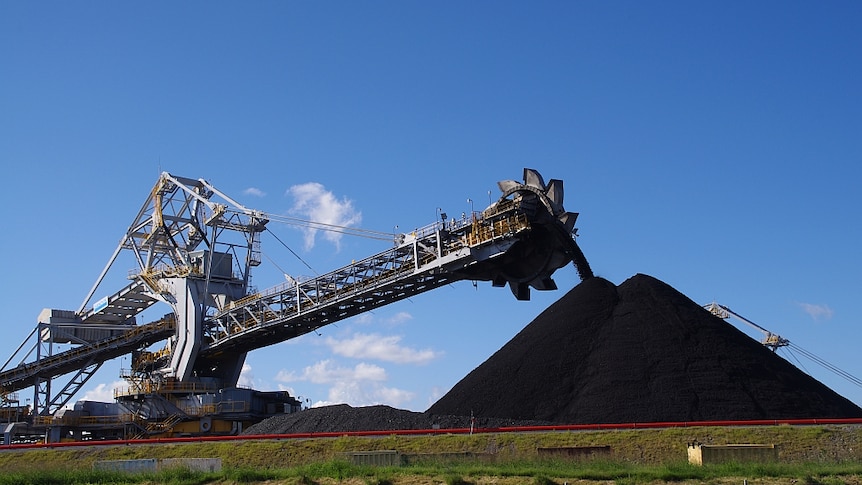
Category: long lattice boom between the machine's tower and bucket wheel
[423,261]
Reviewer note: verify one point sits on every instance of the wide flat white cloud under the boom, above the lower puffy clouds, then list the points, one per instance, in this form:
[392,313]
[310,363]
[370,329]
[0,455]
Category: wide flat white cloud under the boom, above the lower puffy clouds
[379,347]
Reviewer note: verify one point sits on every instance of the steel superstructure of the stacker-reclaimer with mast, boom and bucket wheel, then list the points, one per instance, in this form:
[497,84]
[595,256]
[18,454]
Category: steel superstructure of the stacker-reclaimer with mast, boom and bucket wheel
[195,248]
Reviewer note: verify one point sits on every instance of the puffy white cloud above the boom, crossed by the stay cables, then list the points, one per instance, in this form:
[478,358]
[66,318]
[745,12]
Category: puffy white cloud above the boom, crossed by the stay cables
[313,202]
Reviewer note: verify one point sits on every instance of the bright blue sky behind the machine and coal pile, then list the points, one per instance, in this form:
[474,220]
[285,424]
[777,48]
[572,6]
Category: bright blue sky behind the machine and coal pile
[714,145]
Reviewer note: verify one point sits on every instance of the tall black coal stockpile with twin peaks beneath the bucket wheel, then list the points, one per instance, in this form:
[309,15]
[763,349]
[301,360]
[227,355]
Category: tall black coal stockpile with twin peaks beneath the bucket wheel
[639,352]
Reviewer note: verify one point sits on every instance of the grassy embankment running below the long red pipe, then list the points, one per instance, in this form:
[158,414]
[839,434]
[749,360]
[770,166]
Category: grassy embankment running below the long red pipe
[806,455]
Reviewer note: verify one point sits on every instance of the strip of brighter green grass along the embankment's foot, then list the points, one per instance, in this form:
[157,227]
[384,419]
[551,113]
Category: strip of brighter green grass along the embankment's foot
[456,474]
